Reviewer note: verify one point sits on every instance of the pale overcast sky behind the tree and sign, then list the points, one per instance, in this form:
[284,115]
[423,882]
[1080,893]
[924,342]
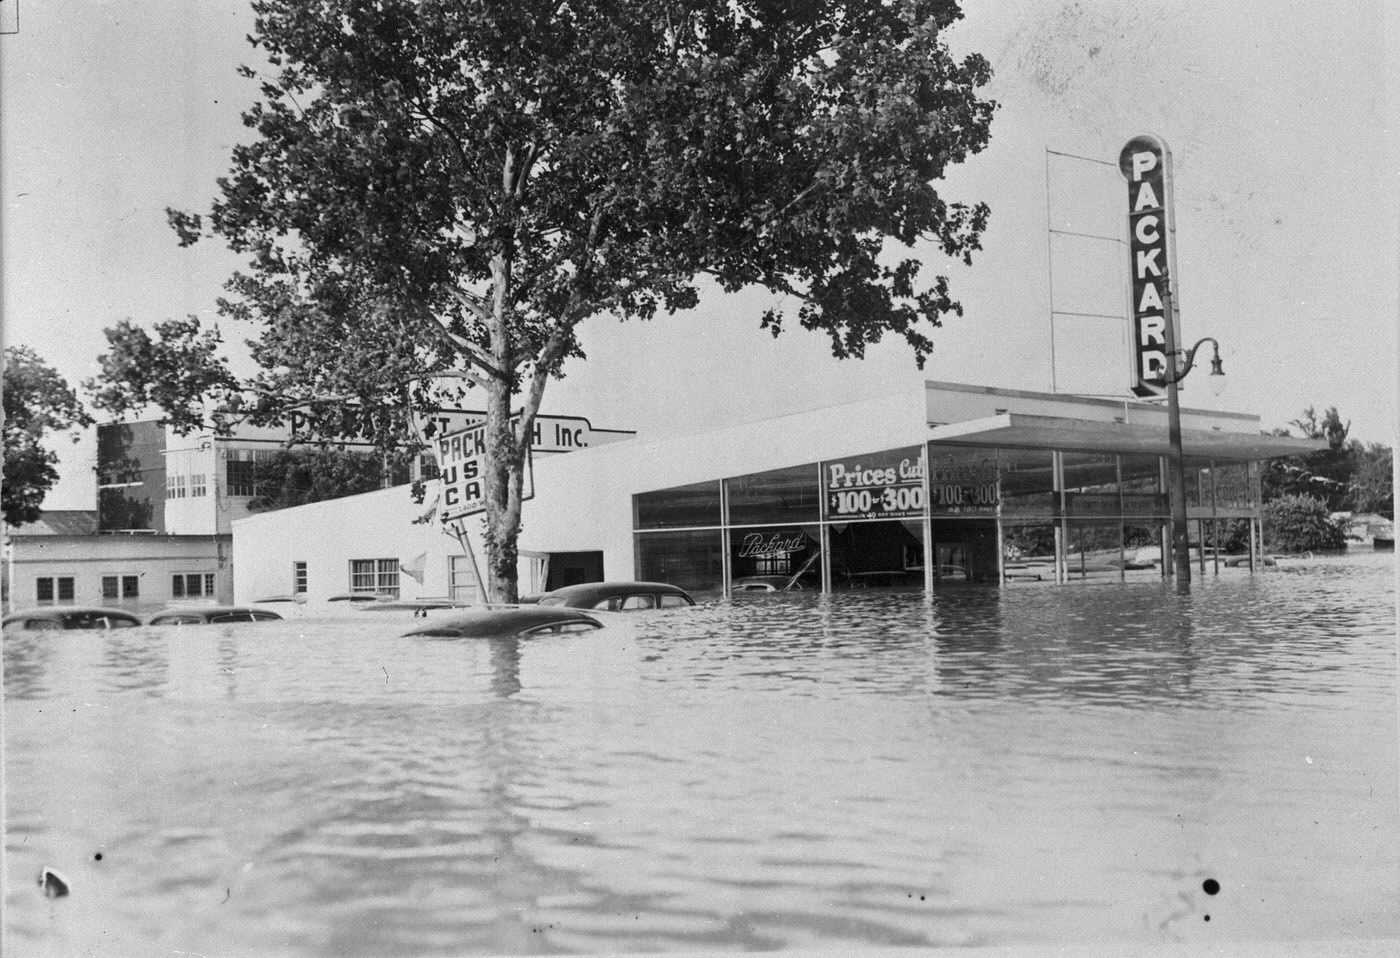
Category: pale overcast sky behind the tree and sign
[1286,207]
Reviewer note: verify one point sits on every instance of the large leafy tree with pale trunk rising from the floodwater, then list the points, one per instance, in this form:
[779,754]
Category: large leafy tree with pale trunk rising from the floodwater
[439,194]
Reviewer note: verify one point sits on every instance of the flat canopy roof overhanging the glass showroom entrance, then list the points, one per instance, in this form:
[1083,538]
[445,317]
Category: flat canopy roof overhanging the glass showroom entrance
[1090,436]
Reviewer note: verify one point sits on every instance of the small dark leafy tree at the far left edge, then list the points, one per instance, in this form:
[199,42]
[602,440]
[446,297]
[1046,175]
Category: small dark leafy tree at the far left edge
[37,403]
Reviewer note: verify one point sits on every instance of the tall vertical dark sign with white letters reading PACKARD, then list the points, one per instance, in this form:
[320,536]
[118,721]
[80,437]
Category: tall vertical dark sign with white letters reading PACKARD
[1147,165]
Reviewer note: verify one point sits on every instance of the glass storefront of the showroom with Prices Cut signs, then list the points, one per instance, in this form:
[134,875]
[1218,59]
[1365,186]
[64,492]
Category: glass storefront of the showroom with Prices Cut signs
[944,515]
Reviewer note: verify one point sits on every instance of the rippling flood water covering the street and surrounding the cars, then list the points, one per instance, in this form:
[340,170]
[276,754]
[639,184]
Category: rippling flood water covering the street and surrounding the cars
[1028,767]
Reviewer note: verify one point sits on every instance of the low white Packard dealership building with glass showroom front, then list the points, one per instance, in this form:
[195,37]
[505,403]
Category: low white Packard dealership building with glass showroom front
[940,485]
